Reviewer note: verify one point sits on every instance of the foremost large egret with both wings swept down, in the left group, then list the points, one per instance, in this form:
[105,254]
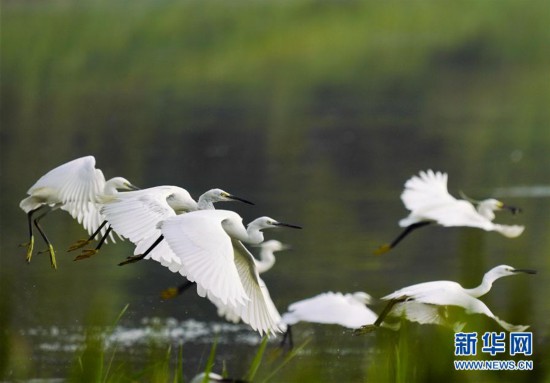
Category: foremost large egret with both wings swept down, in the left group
[209,245]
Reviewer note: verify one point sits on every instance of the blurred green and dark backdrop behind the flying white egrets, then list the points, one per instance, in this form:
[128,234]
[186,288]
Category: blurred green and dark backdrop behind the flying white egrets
[318,111]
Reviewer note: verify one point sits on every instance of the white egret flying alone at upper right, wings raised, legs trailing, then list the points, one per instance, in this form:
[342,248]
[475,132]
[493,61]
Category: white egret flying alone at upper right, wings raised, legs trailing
[429,201]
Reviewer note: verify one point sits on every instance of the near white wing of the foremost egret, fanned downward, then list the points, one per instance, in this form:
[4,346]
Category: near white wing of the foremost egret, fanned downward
[206,254]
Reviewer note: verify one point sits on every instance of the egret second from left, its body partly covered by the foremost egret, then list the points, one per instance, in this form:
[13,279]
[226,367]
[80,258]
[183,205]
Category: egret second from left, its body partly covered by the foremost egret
[135,215]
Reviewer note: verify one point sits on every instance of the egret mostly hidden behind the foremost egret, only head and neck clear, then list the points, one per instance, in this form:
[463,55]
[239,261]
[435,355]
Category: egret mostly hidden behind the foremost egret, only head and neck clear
[265,263]
